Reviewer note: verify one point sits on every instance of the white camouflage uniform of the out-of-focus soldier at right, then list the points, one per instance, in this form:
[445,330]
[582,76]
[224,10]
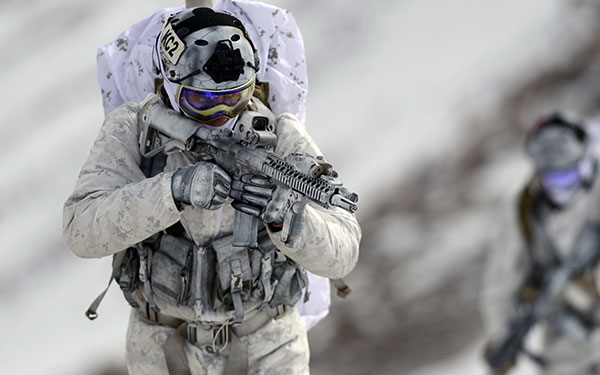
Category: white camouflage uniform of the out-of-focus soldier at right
[507,268]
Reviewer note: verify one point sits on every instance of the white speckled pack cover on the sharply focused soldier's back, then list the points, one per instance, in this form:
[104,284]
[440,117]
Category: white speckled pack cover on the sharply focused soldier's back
[125,74]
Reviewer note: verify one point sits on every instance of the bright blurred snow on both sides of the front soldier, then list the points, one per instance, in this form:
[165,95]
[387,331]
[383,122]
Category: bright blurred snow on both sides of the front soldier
[384,96]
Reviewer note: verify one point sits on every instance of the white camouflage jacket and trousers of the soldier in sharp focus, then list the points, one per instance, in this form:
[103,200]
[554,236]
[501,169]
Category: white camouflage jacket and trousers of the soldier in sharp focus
[114,206]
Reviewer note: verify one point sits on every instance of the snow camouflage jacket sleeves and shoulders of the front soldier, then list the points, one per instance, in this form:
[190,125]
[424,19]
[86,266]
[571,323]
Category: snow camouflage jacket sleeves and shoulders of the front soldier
[114,206]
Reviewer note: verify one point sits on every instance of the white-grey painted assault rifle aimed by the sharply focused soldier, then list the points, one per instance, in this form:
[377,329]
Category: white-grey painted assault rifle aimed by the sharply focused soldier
[247,148]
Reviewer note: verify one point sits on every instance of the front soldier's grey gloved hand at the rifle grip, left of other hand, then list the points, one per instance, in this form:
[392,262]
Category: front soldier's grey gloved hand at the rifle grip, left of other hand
[202,185]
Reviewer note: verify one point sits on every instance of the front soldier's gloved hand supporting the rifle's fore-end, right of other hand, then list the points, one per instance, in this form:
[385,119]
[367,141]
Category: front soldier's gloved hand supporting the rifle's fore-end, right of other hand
[279,207]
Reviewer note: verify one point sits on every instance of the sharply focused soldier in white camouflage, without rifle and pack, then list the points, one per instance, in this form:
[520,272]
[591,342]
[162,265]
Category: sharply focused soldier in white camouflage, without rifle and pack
[202,304]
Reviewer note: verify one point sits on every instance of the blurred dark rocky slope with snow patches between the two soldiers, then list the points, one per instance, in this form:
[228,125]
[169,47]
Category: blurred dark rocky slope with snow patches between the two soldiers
[418,279]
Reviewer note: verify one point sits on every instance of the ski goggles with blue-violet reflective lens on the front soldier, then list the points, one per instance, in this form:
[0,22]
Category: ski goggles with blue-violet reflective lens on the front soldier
[203,105]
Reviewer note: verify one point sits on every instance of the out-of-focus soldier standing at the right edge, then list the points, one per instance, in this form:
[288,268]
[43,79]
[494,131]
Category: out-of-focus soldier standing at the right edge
[544,269]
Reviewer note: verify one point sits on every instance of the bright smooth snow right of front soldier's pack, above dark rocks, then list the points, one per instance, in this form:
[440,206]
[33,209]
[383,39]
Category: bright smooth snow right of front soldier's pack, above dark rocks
[400,99]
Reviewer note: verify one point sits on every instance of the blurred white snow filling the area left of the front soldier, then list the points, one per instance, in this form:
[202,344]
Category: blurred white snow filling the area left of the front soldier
[51,113]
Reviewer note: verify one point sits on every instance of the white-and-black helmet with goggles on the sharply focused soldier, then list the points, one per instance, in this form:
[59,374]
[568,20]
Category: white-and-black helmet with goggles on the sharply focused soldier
[208,63]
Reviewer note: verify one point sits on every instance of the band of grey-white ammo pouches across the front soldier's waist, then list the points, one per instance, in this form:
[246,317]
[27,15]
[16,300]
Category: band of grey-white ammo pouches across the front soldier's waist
[213,283]
